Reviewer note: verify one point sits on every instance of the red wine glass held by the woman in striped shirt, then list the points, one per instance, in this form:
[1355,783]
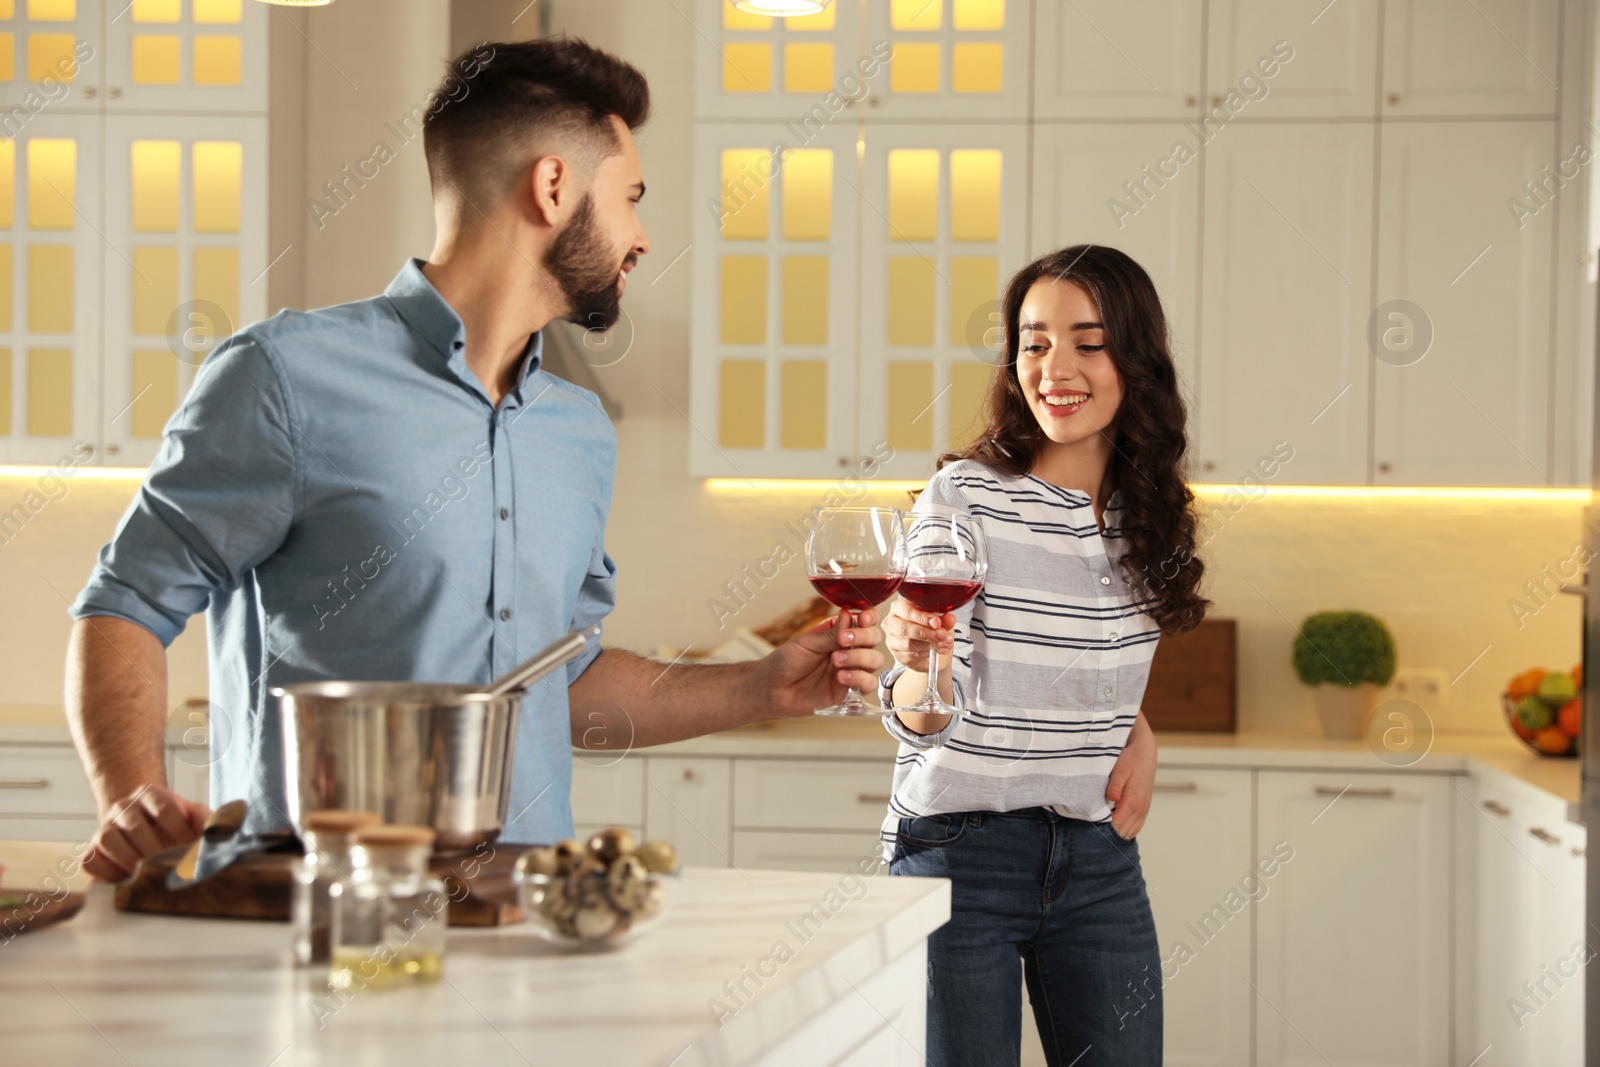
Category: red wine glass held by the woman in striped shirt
[946,569]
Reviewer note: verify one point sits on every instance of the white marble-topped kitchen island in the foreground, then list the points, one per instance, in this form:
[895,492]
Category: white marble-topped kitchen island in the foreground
[751,967]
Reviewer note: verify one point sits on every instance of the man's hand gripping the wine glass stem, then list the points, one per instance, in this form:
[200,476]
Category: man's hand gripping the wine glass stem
[817,668]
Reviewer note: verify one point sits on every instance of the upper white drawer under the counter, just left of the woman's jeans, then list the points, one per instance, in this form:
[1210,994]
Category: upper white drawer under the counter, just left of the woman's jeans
[810,794]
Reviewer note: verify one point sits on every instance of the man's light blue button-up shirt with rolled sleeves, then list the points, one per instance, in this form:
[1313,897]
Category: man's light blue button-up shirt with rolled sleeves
[343,498]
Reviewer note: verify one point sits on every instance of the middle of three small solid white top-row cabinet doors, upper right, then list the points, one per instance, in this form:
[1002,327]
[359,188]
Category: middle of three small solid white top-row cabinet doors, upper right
[1334,71]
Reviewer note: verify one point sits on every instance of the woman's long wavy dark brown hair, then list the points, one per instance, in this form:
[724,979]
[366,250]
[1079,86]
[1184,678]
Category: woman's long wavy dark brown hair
[1148,433]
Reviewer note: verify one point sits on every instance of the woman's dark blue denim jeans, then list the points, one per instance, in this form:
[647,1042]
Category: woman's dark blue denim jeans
[1068,898]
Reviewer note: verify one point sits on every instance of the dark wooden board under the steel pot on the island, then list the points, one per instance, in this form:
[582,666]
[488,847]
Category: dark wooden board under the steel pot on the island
[258,887]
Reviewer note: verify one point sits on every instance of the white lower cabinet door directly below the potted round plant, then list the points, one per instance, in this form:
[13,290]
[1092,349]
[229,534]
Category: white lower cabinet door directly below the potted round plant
[1354,938]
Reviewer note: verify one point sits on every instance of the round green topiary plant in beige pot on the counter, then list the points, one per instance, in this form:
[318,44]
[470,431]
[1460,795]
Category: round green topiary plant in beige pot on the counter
[1346,657]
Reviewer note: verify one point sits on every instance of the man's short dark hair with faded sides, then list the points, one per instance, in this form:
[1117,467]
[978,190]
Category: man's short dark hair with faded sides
[505,100]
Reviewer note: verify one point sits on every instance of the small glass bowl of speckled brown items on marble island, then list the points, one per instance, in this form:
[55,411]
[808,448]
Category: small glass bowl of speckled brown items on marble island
[599,895]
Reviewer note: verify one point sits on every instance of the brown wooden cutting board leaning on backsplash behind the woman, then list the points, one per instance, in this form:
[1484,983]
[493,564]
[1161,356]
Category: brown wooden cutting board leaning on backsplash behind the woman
[1194,681]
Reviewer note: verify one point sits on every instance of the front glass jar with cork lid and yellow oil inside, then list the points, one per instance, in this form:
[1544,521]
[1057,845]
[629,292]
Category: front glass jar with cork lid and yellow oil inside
[390,919]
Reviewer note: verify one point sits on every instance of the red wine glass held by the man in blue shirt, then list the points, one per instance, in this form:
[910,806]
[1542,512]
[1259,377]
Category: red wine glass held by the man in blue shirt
[855,559]
